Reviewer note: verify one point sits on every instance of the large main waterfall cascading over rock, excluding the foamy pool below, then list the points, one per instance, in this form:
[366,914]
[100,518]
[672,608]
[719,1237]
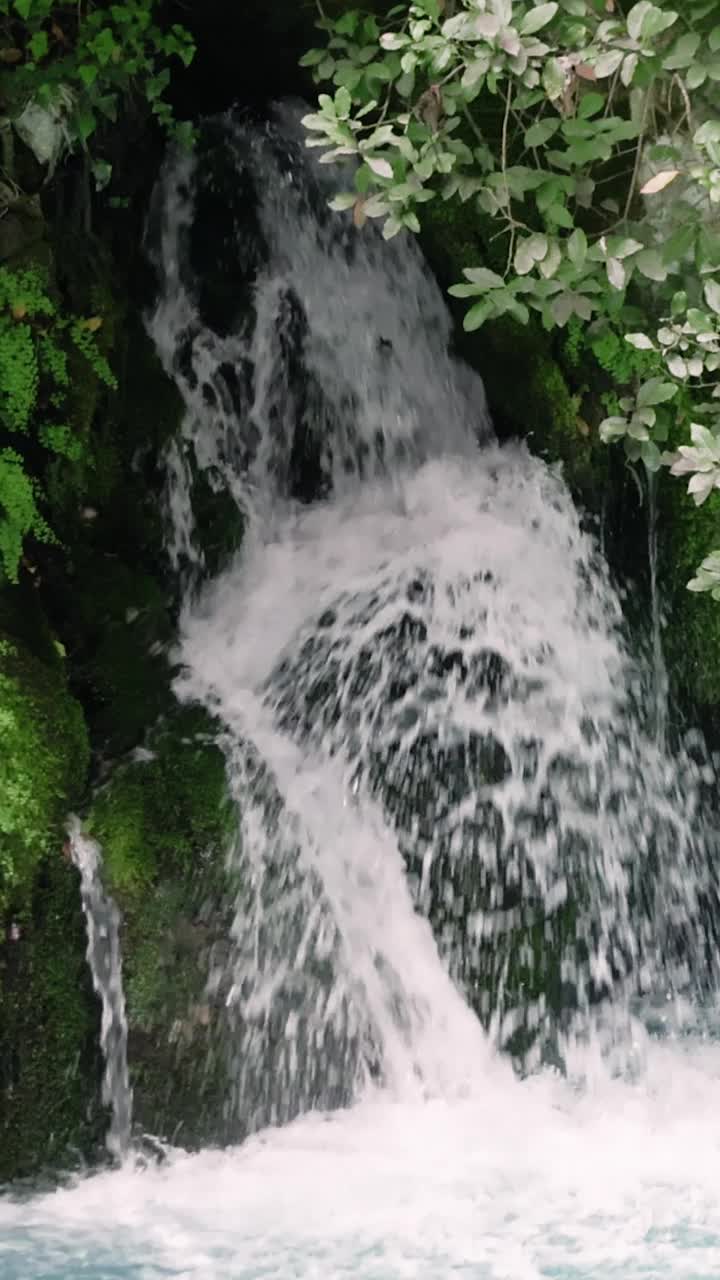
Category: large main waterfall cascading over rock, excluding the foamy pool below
[455,830]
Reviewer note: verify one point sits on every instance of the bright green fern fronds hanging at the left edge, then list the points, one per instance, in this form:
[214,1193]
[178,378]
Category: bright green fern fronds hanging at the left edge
[37,342]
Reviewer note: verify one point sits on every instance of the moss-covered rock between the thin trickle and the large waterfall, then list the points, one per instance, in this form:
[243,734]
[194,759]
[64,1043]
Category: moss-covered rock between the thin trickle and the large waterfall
[166,825]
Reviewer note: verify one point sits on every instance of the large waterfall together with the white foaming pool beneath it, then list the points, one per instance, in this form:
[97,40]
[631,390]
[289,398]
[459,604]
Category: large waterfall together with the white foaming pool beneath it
[464,853]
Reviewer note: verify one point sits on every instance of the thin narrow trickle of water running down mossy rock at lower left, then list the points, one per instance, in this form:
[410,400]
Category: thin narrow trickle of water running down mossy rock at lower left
[103,925]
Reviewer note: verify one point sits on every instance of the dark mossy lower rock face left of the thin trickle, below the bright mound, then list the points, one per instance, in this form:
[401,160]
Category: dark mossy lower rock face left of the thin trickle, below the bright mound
[51,1064]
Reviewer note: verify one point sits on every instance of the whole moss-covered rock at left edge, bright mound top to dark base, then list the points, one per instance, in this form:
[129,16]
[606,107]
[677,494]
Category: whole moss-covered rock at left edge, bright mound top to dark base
[49,1018]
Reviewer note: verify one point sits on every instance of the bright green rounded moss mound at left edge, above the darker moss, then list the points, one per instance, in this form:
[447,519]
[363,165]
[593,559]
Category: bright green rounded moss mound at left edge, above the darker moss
[43,762]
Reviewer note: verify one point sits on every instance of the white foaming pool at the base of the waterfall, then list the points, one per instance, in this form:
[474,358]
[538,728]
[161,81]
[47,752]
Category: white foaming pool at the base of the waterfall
[531,1181]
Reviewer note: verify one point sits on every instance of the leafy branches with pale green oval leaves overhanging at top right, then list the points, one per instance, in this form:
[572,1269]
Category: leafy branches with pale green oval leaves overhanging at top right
[587,136]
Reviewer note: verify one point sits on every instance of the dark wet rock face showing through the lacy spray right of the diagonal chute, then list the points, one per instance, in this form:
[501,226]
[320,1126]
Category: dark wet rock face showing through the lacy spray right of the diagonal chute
[508,830]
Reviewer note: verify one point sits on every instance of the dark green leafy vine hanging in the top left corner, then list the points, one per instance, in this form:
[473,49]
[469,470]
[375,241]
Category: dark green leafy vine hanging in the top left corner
[74,63]
